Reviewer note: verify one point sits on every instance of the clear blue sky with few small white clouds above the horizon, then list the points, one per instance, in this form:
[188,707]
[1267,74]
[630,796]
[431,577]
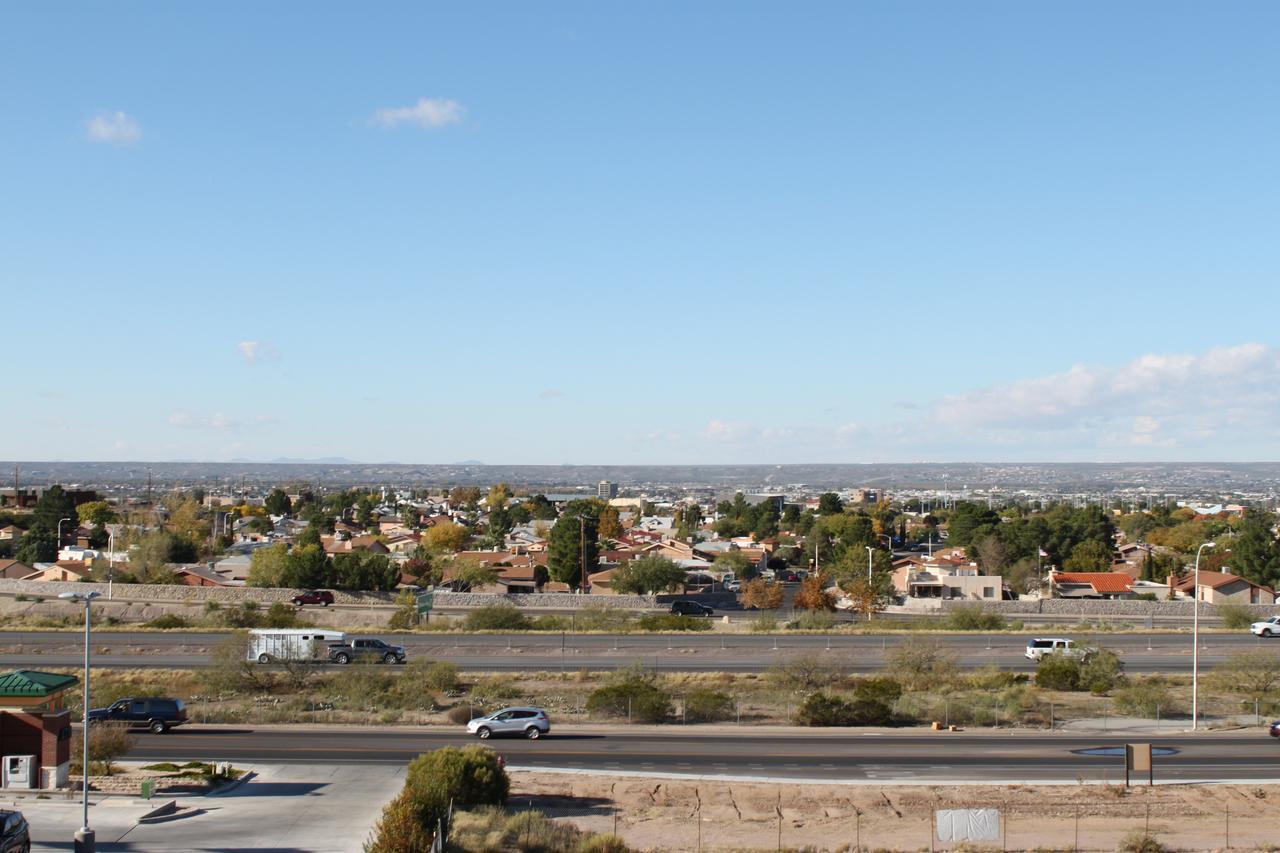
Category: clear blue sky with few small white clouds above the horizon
[719,232]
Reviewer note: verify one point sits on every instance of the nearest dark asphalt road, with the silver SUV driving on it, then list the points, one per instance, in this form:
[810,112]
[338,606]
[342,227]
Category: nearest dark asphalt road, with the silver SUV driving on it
[838,756]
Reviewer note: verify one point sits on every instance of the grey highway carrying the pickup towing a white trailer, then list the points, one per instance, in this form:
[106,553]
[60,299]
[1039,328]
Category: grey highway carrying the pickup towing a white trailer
[669,653]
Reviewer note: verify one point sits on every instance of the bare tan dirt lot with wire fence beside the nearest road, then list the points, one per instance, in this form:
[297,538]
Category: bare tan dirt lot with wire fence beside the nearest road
[666,815]
